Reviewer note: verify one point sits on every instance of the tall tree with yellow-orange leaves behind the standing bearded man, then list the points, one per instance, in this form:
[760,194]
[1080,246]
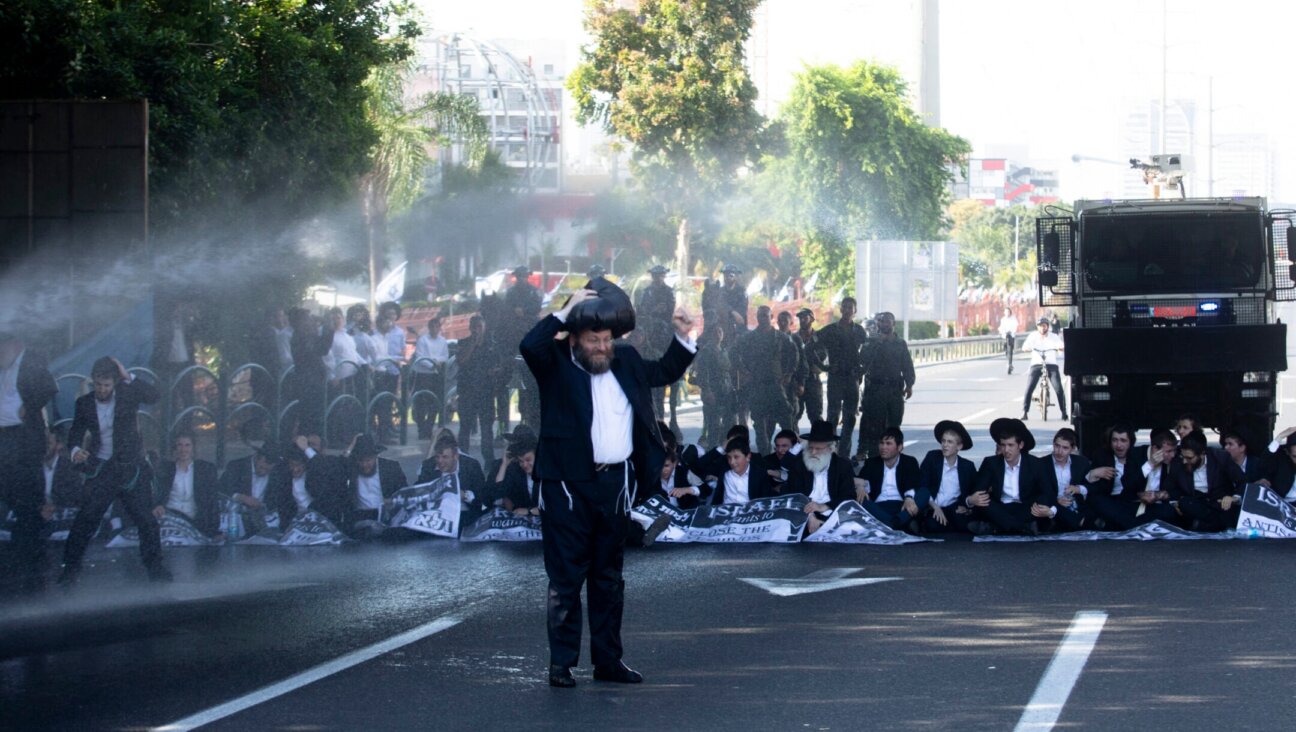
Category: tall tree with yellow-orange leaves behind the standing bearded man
[671,80]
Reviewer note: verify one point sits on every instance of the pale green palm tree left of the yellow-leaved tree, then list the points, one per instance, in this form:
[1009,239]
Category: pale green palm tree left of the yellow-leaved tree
[408,134]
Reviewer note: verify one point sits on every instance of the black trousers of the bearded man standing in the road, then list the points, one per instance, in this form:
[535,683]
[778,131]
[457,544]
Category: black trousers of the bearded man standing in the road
[585,537]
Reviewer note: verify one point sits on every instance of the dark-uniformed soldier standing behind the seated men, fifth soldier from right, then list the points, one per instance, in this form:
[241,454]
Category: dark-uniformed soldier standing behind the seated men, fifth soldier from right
[763,365]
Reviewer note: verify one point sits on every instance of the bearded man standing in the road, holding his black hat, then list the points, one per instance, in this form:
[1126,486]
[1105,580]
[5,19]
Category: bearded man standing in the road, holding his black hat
[598,442]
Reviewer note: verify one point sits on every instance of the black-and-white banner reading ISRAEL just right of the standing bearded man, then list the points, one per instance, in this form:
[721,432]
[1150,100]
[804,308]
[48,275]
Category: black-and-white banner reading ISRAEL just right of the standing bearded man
[778,520]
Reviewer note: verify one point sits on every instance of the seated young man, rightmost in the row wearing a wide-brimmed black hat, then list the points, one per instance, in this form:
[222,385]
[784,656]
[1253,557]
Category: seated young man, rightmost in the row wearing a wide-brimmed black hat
[1010,484]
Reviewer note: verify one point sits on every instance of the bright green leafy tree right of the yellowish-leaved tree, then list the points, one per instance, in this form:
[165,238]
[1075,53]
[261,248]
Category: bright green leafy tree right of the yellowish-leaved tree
[866,164]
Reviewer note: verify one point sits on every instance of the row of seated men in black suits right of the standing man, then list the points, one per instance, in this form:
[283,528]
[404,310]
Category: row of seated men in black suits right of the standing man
[1177,479]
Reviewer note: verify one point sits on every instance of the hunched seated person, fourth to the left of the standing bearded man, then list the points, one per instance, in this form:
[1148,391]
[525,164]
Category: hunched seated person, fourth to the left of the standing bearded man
[310,481]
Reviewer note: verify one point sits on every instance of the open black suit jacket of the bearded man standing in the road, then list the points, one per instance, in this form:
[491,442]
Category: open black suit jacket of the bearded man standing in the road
[566,452]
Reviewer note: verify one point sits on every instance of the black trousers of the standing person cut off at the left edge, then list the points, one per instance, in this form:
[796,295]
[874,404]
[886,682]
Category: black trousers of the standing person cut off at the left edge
[23,489]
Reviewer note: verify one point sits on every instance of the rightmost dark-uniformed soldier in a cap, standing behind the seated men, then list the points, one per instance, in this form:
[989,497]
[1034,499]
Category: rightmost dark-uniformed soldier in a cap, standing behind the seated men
[888,383]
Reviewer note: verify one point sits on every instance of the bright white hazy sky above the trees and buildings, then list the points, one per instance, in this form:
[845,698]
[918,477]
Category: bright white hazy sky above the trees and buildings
[1043,80]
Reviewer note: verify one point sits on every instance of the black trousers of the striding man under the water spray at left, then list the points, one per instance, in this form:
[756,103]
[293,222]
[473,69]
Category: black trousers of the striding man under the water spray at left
[130,484]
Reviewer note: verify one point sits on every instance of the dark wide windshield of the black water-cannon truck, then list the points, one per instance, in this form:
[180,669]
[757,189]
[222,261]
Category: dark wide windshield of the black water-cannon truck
[1174,253]
